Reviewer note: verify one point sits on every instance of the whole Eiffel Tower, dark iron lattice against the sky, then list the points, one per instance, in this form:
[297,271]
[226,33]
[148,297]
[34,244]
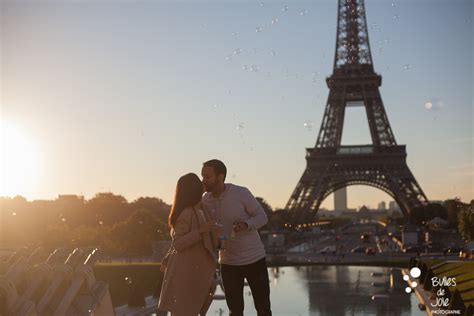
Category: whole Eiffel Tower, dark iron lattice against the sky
[331,166]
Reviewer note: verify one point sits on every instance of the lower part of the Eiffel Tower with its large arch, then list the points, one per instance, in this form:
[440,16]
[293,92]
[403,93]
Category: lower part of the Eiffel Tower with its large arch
[329,169]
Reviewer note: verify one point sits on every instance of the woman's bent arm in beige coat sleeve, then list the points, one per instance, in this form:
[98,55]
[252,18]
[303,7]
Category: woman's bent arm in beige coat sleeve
[184,236]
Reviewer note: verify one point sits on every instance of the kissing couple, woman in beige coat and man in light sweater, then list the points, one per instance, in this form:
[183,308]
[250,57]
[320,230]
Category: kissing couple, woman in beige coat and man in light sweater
[220,225]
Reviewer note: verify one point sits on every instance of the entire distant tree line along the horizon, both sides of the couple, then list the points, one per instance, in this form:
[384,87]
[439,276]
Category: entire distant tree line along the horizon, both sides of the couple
[120,227]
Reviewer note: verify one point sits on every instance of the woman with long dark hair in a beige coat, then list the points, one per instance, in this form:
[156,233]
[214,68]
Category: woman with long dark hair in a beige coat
[192,260]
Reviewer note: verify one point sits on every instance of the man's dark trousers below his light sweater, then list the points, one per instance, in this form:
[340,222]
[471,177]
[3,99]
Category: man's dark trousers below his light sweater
[257,276]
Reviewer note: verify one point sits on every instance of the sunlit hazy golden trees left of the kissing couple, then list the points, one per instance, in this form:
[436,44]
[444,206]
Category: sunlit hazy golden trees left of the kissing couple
[106,220]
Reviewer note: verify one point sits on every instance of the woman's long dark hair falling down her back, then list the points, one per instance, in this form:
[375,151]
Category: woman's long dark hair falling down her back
[189,190]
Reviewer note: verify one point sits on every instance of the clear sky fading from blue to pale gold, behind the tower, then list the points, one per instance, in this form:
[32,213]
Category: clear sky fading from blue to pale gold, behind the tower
[127,96]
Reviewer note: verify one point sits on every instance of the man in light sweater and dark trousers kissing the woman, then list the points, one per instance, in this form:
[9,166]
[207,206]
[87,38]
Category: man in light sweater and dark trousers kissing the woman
[242,255]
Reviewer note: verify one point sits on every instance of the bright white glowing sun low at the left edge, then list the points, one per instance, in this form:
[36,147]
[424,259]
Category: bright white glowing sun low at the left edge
[19,161]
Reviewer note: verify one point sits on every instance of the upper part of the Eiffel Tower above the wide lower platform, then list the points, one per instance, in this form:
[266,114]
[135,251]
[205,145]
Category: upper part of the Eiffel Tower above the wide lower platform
[354,79]
